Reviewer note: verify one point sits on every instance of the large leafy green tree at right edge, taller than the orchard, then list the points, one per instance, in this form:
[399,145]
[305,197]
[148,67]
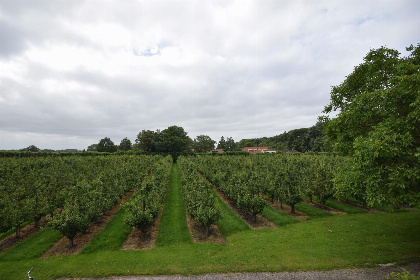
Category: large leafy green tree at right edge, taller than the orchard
[378,124]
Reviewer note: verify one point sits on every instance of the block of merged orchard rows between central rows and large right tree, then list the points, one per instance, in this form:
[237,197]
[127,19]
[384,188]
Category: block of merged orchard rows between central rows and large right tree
[284,177]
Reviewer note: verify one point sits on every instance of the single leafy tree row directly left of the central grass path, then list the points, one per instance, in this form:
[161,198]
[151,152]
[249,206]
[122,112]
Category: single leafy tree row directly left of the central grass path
[144,206]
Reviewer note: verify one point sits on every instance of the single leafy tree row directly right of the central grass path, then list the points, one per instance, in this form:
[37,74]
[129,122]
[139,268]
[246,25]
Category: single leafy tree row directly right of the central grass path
[198,194]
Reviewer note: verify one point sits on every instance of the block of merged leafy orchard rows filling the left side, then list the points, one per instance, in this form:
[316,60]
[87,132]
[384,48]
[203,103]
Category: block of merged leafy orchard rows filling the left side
[72,190]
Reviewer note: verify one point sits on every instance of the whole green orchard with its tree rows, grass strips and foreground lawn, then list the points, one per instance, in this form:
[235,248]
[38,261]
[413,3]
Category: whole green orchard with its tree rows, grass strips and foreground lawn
[257,204]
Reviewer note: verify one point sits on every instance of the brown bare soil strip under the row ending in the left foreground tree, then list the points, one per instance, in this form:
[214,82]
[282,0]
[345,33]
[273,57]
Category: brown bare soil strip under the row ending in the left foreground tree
[61,248]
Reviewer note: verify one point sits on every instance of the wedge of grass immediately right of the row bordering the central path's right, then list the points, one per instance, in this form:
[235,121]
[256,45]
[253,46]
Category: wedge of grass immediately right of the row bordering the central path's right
[229,222]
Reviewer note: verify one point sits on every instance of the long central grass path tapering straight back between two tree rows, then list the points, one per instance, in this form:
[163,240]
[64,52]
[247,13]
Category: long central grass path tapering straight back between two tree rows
[173,227]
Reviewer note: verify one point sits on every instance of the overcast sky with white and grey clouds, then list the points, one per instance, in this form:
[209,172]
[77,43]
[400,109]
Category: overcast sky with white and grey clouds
[73,72]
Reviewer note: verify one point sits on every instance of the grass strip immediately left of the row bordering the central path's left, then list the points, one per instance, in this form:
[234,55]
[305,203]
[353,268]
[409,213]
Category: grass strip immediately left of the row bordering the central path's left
[111,237]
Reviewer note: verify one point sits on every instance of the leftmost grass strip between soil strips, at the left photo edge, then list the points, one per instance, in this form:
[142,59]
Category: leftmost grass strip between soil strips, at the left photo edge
[33,246]
